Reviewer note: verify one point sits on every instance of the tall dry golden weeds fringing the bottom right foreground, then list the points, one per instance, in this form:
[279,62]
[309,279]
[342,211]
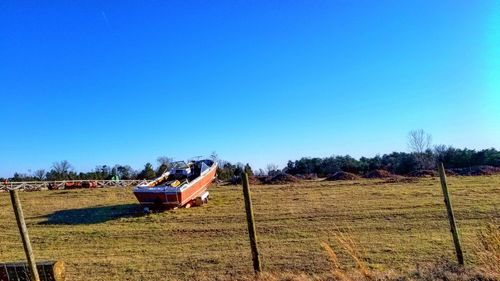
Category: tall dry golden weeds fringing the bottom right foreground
[440,270]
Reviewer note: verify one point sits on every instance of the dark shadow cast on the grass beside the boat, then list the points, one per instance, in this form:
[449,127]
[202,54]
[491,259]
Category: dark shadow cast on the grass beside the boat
[94,215]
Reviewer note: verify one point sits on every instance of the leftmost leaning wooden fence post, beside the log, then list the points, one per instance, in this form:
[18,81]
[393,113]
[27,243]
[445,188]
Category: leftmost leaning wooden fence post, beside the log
[18,211]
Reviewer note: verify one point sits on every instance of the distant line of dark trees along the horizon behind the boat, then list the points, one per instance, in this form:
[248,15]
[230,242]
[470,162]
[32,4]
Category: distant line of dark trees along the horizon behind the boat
[422,155]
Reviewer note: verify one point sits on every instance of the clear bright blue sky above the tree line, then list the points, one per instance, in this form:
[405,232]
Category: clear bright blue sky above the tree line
[123,82]
